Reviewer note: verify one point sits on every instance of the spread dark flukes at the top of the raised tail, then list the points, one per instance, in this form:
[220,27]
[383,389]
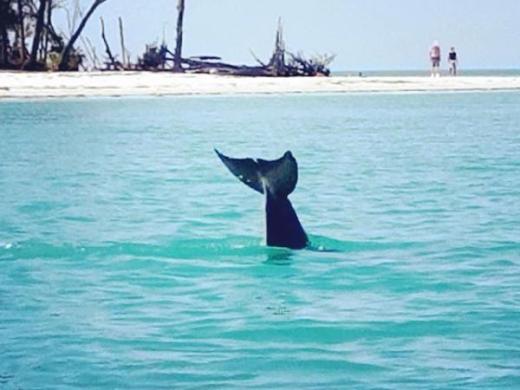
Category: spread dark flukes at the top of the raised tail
[277,177]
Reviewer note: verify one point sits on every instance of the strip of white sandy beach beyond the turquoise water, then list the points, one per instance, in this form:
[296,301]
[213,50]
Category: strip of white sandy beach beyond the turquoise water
[14,85]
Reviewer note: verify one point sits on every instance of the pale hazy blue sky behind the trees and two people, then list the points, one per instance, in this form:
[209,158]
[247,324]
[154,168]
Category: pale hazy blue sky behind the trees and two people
[364,34]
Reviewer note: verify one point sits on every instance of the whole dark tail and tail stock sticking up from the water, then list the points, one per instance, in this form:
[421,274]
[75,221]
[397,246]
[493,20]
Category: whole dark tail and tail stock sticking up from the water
[276,180]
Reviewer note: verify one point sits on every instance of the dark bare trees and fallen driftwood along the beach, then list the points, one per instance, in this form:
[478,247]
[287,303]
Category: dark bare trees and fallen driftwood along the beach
[29,41]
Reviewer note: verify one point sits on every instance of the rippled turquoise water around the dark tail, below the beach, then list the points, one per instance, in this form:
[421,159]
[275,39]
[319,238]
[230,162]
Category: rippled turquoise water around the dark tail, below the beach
[131,258]
